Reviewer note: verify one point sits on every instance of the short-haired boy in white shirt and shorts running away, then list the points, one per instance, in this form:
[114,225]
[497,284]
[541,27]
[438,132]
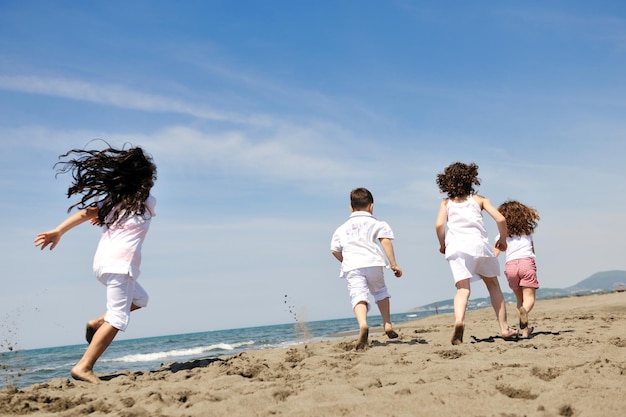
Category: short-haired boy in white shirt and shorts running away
[355,245]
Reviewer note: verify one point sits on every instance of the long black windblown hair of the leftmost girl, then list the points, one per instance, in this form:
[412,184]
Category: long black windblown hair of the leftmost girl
[119,179]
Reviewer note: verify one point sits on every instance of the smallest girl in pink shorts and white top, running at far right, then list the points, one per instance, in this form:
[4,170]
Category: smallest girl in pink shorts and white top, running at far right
[520,268]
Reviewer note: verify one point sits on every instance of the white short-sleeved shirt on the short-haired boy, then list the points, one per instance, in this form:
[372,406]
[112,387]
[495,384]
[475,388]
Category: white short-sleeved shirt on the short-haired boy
[358,241]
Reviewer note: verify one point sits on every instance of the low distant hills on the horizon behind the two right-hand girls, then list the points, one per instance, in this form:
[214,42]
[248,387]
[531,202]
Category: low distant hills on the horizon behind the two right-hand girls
[606,281]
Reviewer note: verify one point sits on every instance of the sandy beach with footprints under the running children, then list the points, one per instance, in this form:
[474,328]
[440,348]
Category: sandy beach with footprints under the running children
[574,364]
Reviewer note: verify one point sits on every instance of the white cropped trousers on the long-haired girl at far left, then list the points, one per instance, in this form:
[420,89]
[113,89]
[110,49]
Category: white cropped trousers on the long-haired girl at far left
[122,291]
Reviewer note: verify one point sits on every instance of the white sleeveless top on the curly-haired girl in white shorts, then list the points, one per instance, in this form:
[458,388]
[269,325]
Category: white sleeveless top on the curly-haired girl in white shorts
[466,230]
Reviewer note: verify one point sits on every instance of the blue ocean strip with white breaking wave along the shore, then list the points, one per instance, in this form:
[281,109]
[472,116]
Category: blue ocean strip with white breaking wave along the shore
[23,368]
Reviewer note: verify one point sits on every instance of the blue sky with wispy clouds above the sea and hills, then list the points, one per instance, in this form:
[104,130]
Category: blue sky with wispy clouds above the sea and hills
[262,116]
